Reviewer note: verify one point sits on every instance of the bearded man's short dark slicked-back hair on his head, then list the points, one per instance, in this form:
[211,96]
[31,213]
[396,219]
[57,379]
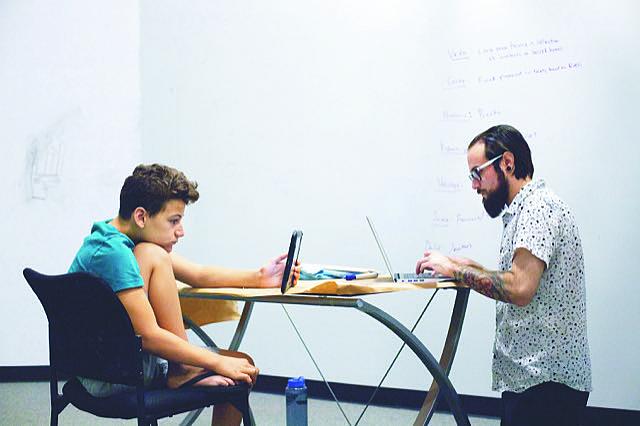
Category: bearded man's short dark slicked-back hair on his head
[502,138]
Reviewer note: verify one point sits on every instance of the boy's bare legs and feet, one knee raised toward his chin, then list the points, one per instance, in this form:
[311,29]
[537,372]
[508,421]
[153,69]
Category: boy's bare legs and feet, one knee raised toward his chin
[160,285]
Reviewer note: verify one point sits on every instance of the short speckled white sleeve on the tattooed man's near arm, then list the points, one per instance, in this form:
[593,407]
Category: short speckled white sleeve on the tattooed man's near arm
[537,229]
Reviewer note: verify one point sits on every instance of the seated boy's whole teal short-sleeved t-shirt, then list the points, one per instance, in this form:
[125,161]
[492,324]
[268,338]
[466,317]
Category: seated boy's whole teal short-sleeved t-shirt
[108,253]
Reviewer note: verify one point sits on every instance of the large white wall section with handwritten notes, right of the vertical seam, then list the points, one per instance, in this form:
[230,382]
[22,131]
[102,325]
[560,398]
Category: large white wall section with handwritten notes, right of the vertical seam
[308,114]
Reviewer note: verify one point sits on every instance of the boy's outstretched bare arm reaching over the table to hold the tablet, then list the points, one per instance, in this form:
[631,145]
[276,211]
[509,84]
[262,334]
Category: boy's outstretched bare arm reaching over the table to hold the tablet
[197,275]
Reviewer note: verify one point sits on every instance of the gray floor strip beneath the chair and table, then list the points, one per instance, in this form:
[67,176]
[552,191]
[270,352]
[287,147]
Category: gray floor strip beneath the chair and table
[28,404]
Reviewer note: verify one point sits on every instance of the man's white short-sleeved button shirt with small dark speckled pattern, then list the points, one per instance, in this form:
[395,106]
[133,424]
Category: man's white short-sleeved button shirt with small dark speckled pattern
[547,339]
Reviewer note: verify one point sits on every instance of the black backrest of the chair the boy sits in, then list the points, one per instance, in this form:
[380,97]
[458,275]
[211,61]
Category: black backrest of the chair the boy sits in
[90,333]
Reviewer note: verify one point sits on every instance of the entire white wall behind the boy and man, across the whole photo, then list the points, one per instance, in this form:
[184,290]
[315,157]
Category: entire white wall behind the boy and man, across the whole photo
[311,115]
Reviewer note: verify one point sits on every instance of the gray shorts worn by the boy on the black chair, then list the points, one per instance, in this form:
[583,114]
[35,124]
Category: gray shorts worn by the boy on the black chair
[154,371]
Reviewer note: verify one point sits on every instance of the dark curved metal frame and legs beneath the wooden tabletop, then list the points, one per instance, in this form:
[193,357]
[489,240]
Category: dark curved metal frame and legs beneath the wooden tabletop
[439,370]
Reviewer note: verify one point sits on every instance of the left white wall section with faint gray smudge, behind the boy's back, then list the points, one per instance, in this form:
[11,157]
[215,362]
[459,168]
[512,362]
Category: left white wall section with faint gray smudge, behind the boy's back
[69,113]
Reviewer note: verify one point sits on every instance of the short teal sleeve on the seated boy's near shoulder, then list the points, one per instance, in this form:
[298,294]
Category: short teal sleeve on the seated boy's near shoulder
[117,266]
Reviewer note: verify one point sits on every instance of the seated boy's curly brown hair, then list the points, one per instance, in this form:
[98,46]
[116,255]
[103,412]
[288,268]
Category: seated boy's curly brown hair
[151,186]
